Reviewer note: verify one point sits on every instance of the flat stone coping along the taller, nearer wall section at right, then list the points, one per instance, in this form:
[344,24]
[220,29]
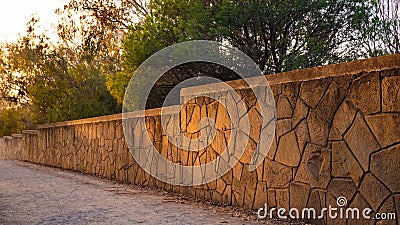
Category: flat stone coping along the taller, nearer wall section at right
[333,70]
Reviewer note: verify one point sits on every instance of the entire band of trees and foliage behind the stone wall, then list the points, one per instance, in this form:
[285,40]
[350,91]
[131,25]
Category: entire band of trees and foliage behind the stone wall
[85,74]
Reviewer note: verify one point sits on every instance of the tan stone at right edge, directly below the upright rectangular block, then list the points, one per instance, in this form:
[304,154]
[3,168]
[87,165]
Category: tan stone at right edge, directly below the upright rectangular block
[386,128]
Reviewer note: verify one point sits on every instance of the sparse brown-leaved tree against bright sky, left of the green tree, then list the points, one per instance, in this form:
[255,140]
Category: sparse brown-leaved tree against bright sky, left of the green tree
[100,25]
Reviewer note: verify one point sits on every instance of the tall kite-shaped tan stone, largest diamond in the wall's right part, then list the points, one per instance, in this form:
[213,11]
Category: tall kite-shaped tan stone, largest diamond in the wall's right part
[361,141]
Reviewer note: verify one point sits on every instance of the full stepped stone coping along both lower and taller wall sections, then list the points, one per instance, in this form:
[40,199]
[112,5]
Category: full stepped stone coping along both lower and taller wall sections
[353,67]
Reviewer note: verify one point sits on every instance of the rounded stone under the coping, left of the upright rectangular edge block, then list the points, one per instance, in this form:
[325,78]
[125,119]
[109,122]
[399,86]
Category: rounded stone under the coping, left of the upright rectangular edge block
[365,93]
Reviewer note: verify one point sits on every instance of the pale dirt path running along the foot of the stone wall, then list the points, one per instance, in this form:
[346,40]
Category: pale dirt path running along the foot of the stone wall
[32,194]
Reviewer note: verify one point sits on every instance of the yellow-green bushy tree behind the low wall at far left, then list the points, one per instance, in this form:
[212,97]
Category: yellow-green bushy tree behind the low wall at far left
[61,82]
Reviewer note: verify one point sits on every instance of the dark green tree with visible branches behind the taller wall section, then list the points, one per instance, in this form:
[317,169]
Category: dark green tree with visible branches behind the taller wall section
[284,35]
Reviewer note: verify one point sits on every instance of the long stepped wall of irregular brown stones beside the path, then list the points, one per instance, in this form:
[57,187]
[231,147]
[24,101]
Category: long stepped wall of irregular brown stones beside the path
[337,134]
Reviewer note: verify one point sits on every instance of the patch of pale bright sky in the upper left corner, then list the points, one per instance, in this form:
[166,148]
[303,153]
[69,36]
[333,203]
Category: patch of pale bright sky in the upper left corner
[14,14]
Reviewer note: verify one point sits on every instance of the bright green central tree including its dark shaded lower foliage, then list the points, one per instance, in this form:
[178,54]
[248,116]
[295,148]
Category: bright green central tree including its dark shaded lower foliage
[170,22]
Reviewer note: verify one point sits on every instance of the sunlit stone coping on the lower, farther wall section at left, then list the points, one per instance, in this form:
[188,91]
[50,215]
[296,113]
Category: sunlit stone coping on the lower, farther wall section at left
[150,112]
